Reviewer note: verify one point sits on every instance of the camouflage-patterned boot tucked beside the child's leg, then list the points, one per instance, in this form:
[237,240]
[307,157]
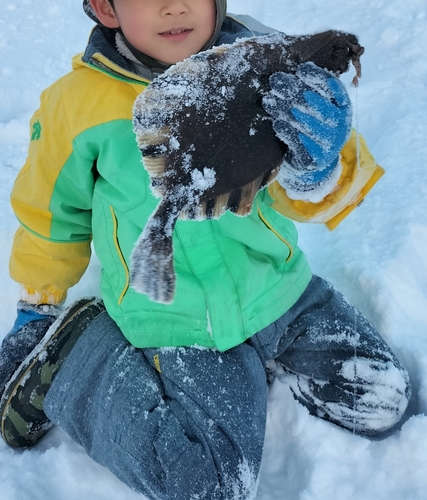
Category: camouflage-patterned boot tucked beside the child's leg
[23,421]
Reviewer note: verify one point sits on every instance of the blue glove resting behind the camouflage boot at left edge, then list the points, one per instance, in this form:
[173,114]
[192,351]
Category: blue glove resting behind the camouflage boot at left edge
[31,324]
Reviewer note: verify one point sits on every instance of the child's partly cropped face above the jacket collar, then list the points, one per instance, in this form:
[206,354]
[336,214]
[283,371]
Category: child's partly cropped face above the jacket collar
[166,30]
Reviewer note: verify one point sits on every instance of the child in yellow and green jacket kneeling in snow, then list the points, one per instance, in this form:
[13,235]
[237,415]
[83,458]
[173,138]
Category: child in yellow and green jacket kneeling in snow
[172,398]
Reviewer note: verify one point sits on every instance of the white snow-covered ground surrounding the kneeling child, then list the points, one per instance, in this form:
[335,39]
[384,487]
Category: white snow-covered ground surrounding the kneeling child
[377,257]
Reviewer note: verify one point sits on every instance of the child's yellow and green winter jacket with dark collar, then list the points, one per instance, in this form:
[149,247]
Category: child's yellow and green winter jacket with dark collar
[84,182]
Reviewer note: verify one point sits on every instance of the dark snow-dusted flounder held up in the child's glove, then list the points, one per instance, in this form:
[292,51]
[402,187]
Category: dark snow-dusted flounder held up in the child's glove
[207,142]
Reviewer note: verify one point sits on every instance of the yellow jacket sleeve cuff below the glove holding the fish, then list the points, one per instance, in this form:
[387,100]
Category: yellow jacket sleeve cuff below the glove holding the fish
[357,178]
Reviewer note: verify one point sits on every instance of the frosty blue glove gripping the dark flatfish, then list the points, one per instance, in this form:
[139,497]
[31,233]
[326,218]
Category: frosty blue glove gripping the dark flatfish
[312,114]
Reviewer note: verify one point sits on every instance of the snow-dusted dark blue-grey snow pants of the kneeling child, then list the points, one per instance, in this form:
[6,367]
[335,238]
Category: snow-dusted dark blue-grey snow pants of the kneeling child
[188,423]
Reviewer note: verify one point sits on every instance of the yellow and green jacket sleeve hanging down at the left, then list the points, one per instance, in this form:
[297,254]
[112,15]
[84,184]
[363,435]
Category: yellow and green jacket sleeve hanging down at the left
[44,260]
